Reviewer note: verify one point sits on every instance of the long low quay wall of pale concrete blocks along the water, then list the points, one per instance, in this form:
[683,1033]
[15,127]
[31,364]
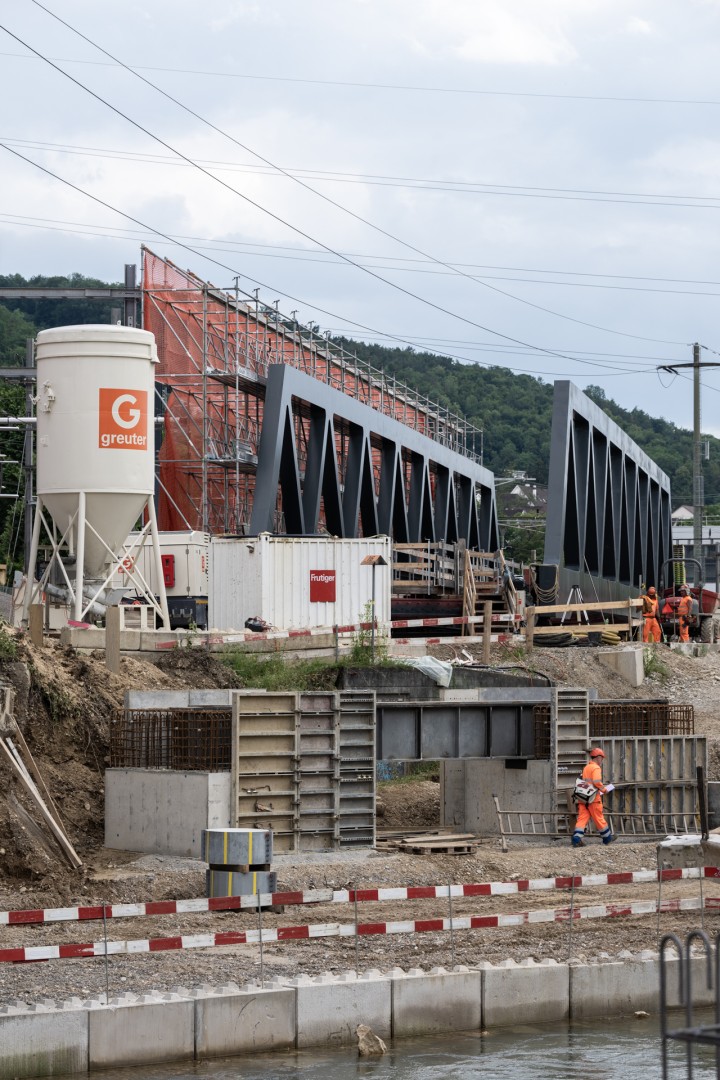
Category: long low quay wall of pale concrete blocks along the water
[56,1038]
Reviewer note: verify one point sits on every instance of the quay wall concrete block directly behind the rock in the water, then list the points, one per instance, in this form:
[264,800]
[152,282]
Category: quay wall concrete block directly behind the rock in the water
[330,1014]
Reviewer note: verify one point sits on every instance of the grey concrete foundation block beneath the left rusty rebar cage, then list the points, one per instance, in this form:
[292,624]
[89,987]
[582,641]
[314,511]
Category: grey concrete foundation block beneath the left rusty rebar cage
[165,813]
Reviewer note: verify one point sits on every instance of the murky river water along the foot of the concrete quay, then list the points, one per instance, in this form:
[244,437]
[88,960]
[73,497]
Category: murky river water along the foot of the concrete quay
[622,1050]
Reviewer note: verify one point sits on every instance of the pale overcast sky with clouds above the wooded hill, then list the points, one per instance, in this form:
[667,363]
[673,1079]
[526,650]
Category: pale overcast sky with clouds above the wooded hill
[545,178]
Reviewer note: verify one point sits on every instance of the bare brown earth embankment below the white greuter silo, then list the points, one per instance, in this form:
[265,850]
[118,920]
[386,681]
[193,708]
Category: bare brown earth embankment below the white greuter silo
[64,705]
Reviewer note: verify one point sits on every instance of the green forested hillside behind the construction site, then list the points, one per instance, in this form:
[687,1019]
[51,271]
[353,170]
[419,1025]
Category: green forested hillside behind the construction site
[514,412]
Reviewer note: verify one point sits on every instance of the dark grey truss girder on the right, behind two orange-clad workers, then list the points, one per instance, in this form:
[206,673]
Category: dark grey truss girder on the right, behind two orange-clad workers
[608,504]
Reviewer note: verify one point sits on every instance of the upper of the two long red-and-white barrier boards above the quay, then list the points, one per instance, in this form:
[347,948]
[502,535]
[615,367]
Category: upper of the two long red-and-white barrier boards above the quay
[289,899]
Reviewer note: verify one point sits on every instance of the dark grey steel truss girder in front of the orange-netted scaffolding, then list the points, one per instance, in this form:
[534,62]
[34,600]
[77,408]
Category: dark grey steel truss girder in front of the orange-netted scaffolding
[460,506]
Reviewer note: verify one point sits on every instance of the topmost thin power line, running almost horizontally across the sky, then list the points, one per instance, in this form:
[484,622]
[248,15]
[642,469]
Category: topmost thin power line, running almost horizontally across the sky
[397,87]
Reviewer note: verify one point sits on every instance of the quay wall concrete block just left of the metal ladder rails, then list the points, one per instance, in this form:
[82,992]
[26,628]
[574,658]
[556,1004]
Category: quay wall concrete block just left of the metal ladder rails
[608,990]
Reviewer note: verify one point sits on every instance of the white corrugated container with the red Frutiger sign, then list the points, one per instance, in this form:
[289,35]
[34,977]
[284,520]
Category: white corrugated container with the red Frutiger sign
[297,584]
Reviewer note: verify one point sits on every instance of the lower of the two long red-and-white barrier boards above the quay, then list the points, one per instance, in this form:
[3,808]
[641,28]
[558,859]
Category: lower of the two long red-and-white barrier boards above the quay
[35,953]
